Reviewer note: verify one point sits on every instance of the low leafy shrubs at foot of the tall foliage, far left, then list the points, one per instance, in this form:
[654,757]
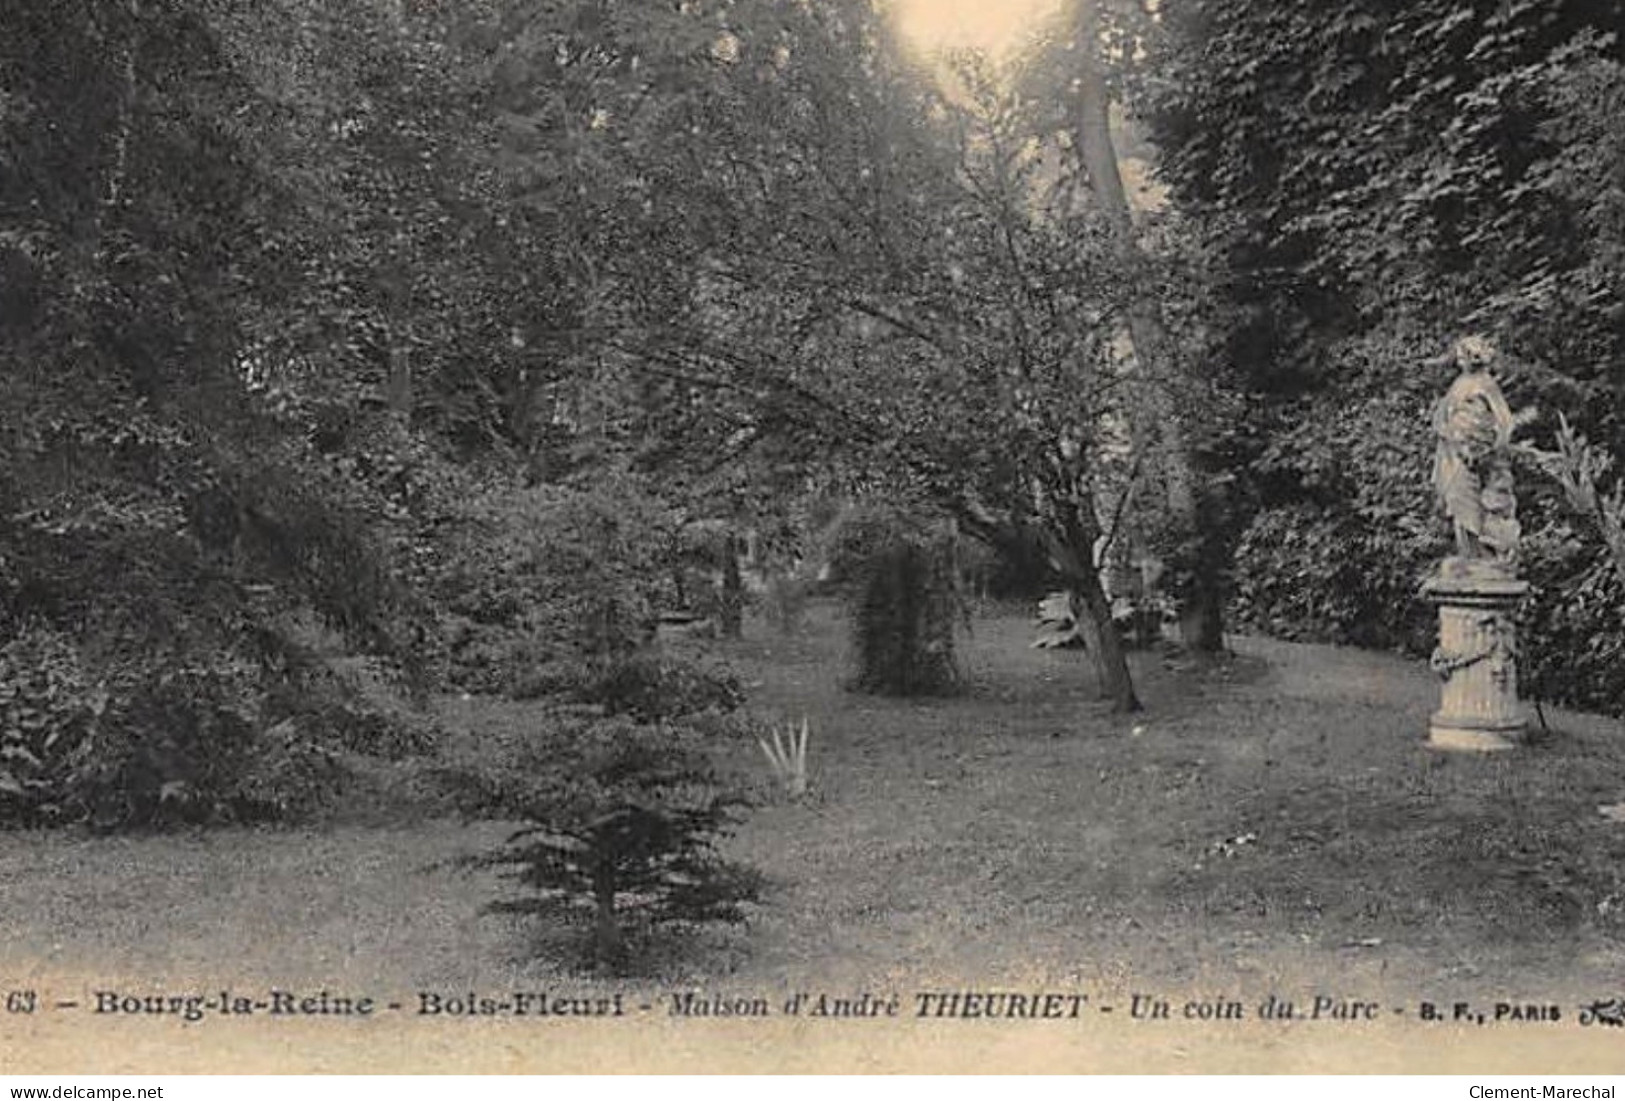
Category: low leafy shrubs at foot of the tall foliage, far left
[121,738]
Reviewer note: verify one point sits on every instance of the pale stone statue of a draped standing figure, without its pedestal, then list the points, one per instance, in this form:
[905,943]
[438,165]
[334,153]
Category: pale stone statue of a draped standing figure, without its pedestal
[1473,468]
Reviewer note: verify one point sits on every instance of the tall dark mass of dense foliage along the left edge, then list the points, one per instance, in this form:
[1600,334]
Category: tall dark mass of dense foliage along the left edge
[167,529]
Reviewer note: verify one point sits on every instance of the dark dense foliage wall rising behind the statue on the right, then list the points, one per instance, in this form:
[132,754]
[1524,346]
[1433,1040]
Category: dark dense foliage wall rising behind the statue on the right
[1377,181]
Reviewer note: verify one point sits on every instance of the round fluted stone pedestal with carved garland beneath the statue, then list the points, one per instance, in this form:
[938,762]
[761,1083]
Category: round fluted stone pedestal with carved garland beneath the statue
[1478,663]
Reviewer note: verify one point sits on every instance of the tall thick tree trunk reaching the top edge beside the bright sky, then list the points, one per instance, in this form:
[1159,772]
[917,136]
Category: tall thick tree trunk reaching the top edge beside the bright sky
[1202,624]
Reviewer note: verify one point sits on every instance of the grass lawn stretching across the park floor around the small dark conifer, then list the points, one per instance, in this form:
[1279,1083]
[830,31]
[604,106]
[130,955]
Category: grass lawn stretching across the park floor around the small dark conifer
[1270,821]
